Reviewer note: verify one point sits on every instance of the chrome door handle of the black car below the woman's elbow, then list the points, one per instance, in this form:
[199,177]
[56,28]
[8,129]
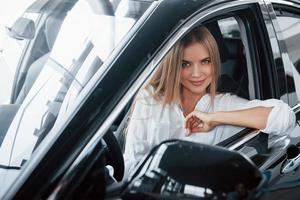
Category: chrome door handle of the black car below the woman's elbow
[293,160]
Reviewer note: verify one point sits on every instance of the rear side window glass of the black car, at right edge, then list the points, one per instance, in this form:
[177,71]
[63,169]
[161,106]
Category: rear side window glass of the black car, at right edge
[289,25]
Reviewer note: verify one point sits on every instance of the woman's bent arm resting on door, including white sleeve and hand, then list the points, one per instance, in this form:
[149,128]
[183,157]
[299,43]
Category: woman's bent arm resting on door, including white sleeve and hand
[270,116]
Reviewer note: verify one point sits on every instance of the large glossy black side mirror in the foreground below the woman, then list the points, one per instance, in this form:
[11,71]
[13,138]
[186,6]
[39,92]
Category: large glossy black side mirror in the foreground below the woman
[183,169]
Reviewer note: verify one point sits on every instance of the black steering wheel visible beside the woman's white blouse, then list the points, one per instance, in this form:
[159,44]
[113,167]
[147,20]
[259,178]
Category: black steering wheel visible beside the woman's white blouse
[114,155]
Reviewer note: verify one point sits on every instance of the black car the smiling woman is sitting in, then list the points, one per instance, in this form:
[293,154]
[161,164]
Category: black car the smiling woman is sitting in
[67,137]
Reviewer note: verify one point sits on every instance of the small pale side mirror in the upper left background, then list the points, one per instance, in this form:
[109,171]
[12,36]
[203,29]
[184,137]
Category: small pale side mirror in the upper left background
[23,28]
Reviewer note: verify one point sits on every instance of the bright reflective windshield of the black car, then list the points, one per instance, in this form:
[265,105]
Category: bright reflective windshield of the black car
[89,34]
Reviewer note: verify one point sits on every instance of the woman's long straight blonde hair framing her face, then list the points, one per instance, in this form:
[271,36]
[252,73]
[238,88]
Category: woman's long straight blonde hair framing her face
[166,80]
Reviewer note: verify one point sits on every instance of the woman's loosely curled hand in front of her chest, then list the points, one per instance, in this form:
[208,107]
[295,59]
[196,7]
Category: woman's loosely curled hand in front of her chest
[198,121]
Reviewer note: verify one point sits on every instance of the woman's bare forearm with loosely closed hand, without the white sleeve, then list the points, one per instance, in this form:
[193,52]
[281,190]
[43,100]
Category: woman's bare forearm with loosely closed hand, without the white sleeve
[255,117]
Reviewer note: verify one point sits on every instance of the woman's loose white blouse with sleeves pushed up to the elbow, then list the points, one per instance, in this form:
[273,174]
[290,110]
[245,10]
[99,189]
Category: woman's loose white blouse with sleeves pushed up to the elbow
[151,122]
